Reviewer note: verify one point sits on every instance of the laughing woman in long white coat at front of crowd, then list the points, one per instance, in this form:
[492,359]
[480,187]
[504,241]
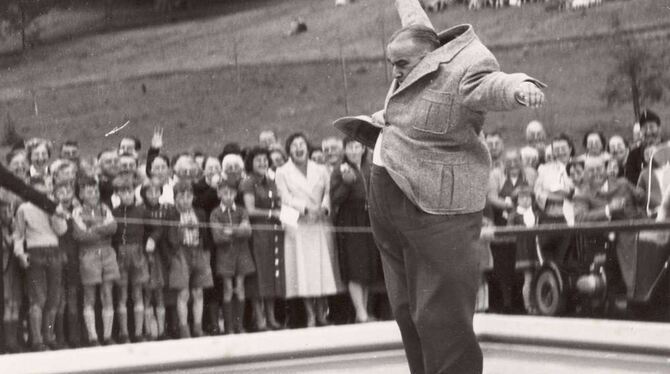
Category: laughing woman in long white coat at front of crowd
[312,270]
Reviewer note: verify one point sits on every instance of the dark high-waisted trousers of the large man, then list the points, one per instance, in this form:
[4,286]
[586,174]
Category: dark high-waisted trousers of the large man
[431,273]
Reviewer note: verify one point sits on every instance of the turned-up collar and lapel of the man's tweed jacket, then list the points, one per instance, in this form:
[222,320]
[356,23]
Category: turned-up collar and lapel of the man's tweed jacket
[453,40]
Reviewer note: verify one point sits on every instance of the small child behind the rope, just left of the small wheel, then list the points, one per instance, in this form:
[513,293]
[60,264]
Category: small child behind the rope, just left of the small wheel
[526,248]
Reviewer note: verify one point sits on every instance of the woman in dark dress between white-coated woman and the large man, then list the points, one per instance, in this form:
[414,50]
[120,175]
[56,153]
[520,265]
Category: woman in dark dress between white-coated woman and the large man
[361,265]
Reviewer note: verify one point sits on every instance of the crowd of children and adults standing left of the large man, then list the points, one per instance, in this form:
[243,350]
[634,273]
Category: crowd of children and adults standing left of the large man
[150,246]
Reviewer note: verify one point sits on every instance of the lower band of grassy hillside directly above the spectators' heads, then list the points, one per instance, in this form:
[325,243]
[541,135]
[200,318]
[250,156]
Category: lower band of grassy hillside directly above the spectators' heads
[203,108]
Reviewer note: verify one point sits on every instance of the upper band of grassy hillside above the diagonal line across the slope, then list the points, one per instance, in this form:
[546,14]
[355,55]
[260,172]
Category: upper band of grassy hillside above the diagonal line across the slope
[260,34]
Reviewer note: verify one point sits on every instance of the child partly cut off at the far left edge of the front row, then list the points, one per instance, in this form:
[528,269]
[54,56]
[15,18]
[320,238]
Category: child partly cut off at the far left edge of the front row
[11,279]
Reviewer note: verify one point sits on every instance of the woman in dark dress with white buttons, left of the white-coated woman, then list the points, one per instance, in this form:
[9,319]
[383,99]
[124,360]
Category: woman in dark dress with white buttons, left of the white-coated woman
[262,203]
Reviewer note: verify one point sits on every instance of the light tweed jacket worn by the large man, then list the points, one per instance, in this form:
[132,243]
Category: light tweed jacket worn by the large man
[430,145]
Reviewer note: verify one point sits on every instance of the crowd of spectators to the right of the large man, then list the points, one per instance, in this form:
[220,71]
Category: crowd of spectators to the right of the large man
[546,181]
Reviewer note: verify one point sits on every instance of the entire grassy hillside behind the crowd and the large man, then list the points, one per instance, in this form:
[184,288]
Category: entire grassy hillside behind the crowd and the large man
[179,76]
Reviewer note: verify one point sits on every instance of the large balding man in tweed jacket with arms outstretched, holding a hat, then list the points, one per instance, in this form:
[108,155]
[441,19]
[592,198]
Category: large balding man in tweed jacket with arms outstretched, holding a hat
[429,181]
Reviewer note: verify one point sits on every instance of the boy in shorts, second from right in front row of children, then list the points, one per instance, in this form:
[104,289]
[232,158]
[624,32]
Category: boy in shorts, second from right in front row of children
[189,265]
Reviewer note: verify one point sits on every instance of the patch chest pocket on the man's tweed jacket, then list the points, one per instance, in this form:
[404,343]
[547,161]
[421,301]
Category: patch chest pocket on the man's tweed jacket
[434,112]
